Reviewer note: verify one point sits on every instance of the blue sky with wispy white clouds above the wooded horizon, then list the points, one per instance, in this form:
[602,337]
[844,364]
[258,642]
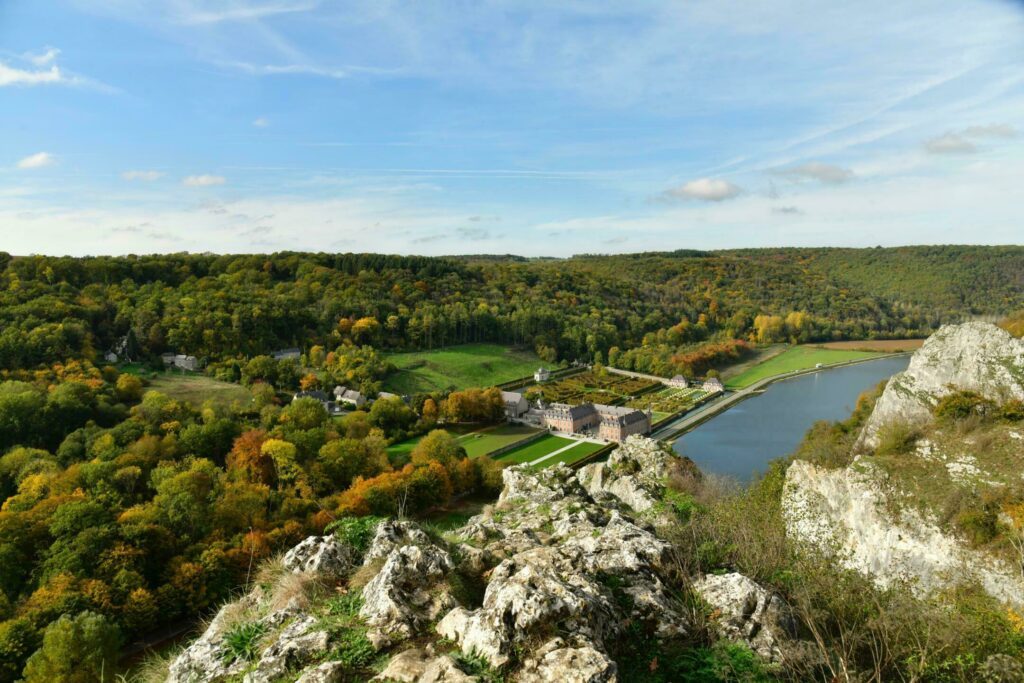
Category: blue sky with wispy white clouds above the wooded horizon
[537,129]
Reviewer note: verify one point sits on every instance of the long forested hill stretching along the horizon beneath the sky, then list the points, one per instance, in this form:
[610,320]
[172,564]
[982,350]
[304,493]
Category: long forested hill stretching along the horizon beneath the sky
[218,307]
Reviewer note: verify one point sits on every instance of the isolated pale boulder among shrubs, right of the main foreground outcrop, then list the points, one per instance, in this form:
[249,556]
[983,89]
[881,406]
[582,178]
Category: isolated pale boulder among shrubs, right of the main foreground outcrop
[747,612]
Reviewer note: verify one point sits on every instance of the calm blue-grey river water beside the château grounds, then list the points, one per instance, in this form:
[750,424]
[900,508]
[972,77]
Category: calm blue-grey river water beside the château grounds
[742,441]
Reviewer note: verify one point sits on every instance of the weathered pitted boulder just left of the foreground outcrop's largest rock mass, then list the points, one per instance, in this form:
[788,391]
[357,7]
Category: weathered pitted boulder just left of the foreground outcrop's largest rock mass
[408,593]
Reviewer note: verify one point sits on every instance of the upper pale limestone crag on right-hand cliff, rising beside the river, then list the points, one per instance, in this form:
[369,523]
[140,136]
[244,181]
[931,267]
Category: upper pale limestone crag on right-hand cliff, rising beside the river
[978,357]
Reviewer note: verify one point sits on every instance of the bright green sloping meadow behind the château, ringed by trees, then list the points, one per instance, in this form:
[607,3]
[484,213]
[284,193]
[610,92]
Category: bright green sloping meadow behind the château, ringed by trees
[459,368]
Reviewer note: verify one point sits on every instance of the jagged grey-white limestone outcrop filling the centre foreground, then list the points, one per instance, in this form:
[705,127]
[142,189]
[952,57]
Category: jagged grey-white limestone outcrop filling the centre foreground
[549,583]
